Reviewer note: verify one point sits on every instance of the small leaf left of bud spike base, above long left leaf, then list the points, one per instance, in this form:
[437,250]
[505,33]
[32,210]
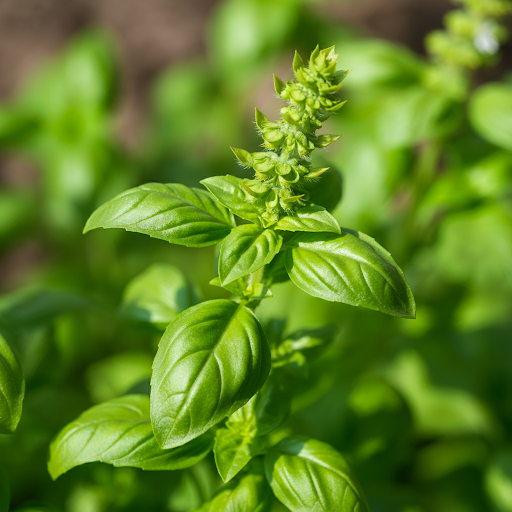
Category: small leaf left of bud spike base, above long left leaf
[229,192]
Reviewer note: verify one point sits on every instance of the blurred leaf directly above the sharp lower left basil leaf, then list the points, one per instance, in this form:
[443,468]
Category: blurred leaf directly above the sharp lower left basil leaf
[117,375]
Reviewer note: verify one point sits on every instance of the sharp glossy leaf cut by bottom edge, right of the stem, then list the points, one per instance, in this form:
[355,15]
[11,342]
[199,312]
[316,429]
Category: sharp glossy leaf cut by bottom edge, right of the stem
[306,475]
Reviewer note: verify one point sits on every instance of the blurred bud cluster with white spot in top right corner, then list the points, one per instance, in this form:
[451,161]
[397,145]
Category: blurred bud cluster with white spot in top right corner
[473,35]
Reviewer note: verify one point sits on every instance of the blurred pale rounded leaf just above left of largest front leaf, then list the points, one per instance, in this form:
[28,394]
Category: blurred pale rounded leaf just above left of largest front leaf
[157,295]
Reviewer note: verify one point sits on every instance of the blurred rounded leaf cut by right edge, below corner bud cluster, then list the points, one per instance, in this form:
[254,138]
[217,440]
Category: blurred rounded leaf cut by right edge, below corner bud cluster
[490,113]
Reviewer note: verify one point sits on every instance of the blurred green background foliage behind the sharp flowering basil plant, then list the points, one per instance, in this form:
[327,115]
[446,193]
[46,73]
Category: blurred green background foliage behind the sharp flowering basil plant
[423,408]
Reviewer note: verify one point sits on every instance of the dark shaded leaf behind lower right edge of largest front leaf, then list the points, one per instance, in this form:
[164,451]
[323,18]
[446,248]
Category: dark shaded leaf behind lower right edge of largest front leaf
[266,411]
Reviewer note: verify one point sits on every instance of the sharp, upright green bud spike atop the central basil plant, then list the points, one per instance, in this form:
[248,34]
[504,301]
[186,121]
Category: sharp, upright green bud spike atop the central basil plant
[282,171]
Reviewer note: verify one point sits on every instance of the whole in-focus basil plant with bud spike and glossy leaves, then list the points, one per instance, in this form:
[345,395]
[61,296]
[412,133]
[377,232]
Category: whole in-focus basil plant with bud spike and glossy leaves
[217,382]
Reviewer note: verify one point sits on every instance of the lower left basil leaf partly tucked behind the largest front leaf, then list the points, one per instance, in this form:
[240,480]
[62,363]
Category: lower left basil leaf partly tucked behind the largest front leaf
[119,432]
